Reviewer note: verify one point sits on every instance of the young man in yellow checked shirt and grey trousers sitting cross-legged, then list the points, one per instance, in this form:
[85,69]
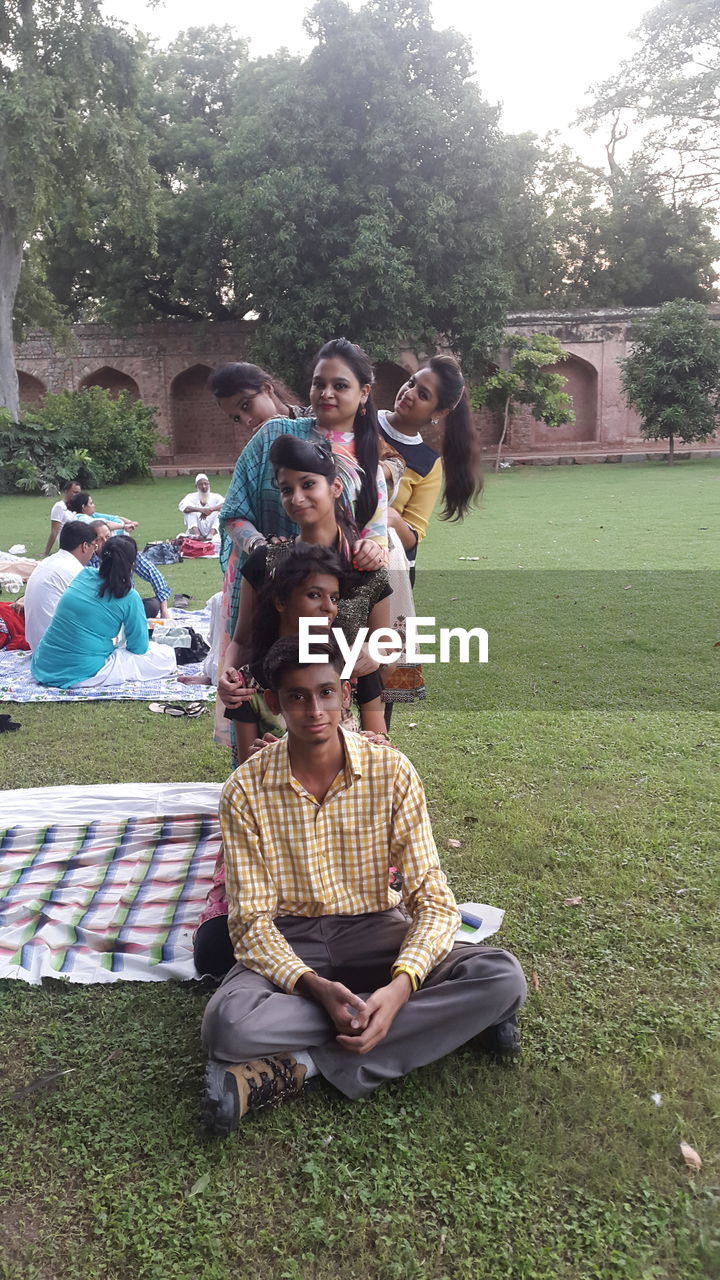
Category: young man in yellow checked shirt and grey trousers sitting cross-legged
[332,977]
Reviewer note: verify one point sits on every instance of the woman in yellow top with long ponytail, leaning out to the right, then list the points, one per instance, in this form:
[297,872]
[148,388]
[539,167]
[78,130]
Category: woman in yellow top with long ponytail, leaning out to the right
[435,395]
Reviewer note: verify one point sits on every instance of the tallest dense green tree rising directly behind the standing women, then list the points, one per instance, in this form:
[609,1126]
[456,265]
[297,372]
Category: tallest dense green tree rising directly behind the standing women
[380,212]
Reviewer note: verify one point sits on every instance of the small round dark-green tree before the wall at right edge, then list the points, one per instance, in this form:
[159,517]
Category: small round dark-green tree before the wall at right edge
[672,377]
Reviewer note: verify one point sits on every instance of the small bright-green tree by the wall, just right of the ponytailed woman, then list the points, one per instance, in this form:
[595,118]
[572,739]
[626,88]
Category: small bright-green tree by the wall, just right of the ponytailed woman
[528,381]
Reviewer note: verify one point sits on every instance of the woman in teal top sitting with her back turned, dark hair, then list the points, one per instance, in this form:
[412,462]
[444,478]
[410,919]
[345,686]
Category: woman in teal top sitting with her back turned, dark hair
[79,647]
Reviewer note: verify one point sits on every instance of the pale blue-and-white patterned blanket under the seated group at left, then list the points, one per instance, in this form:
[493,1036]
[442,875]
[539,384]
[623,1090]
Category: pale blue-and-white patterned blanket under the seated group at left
[19,687]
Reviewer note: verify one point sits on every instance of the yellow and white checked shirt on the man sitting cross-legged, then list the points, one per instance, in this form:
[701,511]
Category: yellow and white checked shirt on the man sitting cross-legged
[289,856]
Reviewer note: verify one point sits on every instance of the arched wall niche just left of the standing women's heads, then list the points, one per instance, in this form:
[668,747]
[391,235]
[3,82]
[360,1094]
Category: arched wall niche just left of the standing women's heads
[199,427]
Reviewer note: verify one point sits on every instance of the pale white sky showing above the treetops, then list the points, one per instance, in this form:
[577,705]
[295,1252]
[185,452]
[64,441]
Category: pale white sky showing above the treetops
[536,60]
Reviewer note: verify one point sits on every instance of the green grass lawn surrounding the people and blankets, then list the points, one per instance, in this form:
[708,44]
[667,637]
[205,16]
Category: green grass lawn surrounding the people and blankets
[582,762]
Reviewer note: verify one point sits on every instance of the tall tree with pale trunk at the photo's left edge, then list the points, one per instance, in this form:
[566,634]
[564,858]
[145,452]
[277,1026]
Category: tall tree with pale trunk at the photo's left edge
[69,90]
